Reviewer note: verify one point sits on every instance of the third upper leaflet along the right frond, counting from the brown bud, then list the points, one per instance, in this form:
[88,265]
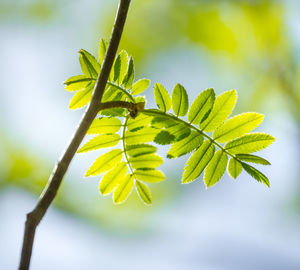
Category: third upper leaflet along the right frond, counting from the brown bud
[201,106]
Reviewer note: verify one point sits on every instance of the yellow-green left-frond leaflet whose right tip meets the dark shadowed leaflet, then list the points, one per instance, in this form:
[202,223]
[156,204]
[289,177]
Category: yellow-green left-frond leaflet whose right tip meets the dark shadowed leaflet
[146,134]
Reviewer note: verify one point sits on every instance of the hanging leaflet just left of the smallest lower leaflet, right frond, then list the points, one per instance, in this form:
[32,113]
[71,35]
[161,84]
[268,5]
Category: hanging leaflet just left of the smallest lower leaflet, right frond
[215,168]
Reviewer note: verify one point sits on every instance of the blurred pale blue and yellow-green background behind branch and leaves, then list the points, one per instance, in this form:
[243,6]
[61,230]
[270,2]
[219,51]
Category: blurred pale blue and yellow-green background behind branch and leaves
[252,46]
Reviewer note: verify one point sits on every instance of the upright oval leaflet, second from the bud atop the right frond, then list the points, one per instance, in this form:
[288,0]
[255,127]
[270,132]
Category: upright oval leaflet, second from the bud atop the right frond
[180,102]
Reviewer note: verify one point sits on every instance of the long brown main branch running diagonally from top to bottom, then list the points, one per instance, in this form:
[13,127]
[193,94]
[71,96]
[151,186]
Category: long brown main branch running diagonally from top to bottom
[49,192]
